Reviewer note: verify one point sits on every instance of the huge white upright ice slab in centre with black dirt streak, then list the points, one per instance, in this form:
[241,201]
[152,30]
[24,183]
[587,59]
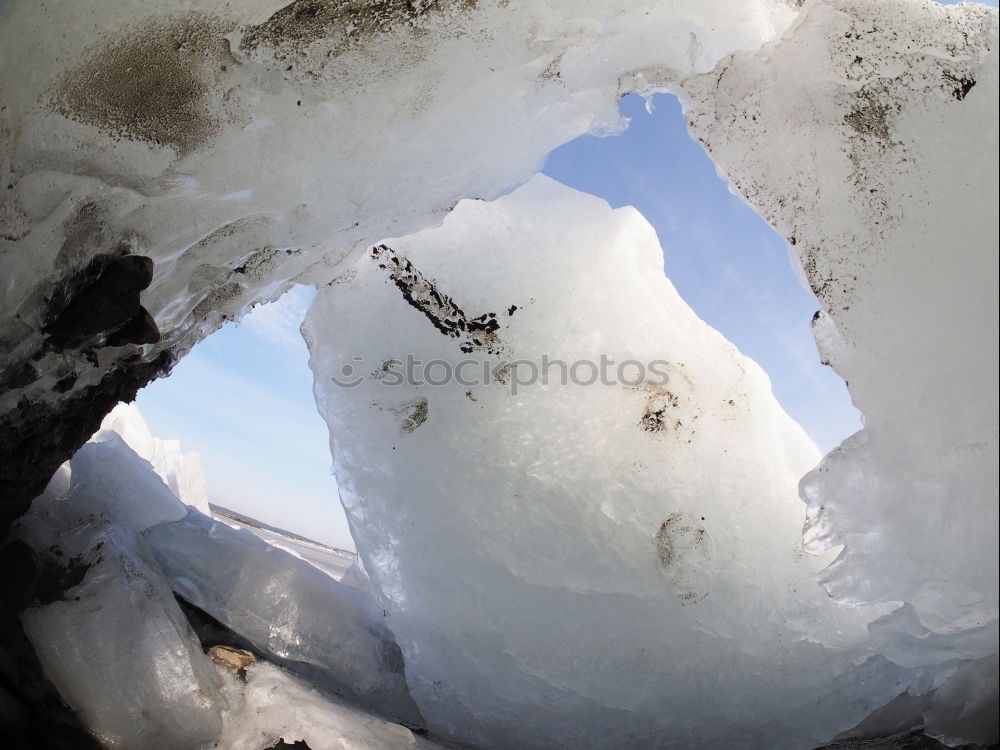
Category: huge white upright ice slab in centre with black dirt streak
[578,565]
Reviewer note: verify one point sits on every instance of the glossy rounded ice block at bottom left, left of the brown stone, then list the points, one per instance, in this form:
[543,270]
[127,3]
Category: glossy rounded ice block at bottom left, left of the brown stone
[120,651]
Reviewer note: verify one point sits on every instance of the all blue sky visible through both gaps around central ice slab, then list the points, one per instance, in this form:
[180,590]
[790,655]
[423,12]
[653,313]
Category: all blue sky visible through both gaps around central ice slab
[243,397]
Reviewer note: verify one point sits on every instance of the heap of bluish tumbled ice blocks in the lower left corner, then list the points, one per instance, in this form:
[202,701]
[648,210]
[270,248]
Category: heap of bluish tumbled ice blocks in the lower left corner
[111,637]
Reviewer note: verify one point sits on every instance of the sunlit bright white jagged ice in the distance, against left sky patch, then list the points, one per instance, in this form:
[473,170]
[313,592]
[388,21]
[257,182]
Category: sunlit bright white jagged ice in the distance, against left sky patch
[182,472]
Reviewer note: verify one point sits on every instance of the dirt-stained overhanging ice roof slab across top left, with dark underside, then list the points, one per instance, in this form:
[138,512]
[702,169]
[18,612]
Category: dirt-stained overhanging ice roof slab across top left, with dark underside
[240,149]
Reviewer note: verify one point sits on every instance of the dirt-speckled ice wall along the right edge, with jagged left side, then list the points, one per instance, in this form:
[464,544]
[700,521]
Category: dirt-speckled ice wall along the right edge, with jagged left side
[875,153]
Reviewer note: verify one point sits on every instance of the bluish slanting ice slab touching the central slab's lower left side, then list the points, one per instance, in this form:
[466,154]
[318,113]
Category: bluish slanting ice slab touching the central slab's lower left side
[331,632]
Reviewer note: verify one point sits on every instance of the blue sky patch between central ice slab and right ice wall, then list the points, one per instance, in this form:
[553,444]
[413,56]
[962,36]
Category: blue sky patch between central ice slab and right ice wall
[726,262]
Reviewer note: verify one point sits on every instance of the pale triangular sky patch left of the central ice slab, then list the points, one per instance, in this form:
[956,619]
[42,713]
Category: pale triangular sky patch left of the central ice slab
[243,400]
